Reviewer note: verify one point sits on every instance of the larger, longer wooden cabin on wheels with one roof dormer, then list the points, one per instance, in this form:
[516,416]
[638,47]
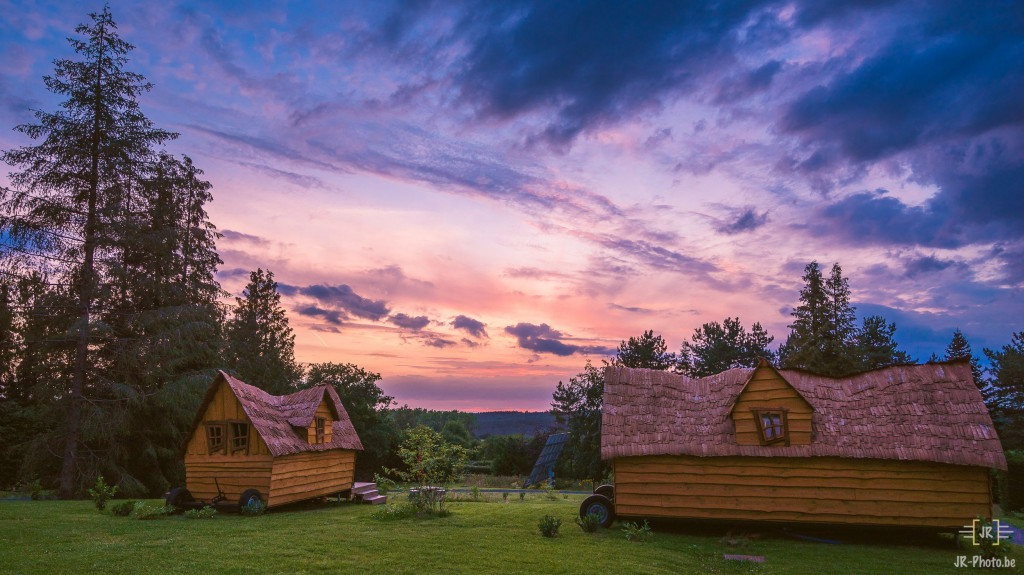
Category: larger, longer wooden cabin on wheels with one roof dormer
[901,447]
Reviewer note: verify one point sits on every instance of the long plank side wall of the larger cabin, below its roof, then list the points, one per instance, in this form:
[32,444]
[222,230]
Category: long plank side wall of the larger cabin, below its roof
[802,490]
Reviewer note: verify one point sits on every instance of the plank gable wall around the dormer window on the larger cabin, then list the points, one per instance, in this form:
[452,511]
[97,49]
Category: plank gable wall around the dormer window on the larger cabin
[767,389]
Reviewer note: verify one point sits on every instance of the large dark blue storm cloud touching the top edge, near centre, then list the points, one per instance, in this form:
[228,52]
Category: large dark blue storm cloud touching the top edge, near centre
[593,65]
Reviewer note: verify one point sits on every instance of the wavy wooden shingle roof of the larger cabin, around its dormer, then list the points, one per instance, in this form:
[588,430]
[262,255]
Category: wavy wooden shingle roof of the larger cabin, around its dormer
[931,413]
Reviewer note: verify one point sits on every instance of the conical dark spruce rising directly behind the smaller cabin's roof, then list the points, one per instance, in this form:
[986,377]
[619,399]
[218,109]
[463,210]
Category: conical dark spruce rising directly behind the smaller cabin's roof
[261,344]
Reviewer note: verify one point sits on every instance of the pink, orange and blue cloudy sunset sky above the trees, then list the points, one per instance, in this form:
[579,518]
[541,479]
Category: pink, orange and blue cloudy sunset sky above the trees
[475,198]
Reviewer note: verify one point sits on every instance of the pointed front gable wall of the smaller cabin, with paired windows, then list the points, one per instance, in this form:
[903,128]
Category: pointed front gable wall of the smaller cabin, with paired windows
[235,473]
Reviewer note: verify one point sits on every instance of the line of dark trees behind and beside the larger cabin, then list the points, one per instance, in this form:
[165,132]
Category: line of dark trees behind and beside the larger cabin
[824,338]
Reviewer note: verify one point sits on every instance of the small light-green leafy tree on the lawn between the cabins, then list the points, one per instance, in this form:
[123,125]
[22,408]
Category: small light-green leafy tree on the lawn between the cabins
[430,461]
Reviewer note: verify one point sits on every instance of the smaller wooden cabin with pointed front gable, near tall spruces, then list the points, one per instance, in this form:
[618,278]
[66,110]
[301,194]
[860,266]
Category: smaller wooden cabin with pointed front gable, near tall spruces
[288,449]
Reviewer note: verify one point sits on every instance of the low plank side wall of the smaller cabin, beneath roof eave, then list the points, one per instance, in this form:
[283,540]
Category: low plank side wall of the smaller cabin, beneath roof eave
[312,474]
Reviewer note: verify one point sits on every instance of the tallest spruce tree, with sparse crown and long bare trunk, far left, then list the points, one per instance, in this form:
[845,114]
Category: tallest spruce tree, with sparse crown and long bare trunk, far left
[72,190]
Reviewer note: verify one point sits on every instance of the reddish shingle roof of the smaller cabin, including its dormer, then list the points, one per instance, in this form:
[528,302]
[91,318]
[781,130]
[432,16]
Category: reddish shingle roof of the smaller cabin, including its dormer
[281,421]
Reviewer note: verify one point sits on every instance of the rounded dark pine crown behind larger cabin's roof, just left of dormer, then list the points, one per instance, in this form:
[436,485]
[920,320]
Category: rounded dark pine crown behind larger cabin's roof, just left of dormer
[718,347]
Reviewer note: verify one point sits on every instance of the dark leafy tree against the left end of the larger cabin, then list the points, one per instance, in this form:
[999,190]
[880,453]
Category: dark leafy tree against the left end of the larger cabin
[578,406]
